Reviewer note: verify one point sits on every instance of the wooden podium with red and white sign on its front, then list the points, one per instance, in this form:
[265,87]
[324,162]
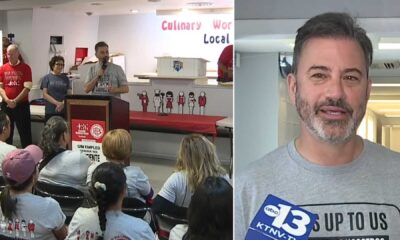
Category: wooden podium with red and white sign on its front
[90,117]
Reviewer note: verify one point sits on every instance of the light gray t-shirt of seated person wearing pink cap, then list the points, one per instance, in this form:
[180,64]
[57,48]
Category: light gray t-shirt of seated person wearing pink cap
[36,218]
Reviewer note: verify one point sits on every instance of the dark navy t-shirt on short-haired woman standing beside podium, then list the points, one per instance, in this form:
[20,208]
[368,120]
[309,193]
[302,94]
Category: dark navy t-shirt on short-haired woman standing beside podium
[57,87]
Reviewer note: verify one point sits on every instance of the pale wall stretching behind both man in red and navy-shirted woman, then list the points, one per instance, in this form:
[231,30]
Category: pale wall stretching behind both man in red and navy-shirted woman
[33,28]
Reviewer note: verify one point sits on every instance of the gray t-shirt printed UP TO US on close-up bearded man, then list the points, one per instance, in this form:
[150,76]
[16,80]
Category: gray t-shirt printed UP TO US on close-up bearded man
[358,200]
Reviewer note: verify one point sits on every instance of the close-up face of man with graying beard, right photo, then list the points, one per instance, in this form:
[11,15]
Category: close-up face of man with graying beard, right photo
[331,88]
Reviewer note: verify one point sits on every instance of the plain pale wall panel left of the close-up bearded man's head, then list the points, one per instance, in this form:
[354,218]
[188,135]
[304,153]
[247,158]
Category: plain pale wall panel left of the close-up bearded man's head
[256,107]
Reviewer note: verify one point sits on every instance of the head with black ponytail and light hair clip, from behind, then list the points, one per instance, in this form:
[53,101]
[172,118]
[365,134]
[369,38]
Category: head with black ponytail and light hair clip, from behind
[108,187]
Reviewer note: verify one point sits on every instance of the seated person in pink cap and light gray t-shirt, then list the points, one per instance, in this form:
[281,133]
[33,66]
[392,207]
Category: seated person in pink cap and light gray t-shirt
[28,216]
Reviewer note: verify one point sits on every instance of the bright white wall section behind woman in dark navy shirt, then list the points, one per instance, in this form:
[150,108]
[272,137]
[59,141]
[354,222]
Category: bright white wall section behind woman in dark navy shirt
[77,30]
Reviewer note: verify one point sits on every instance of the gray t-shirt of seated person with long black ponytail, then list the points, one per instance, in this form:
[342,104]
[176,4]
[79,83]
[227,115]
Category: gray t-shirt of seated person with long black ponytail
[85,225]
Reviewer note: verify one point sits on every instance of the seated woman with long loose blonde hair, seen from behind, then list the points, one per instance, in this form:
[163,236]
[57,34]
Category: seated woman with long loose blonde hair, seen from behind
[197,159]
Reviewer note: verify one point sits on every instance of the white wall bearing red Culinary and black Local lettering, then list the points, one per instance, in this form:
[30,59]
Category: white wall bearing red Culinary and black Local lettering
[141,38]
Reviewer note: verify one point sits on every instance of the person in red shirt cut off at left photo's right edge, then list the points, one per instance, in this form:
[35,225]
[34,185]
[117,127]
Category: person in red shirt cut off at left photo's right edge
[225,65]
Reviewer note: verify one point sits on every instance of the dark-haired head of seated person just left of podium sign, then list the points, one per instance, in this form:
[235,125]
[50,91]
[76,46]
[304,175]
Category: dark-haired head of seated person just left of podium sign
[55,135]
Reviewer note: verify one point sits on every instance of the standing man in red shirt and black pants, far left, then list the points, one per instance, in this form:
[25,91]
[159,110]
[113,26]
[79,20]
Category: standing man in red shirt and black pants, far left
[15,84]
